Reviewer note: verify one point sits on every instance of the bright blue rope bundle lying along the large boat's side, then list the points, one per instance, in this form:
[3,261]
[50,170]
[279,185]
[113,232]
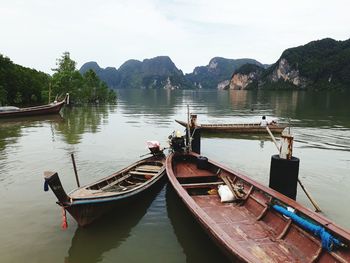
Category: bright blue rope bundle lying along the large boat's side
[328,241]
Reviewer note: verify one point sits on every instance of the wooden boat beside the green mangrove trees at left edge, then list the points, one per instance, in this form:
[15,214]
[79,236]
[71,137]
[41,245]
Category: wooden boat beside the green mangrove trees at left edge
[52,108]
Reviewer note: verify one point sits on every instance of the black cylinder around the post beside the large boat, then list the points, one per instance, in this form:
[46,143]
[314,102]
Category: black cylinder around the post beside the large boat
[284,175]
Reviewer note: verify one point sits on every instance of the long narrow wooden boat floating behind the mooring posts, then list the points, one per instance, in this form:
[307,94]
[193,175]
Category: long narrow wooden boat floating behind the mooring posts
[237,128]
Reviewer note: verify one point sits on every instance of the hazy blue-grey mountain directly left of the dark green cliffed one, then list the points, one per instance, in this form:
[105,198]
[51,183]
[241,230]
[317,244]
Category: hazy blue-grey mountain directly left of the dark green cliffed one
[218,72]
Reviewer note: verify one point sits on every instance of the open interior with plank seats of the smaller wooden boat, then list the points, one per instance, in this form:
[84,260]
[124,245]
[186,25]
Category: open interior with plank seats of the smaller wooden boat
[121,182]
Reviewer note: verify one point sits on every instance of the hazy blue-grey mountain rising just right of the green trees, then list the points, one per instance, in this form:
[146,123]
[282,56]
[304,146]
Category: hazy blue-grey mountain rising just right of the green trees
[158,72]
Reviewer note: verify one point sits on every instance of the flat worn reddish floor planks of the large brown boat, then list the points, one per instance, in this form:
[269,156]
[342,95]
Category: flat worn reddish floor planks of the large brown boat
[242,226]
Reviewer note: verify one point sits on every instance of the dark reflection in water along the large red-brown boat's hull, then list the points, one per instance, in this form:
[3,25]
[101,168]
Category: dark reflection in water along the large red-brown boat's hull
[196,244]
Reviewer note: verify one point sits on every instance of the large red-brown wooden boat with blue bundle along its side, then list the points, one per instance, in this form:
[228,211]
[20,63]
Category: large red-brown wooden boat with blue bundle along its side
[254,227]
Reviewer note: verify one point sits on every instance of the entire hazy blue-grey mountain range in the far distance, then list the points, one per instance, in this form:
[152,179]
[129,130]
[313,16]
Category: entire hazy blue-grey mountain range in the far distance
[161,72]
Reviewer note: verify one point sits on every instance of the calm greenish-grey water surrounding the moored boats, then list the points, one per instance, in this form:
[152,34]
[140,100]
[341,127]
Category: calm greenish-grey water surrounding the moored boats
[157,229]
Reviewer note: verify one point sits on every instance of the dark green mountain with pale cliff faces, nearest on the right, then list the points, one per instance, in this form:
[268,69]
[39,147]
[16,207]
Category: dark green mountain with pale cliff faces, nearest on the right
[321,64]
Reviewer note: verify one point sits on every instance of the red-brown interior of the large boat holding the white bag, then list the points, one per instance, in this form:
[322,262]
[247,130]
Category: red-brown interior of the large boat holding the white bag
[249,222]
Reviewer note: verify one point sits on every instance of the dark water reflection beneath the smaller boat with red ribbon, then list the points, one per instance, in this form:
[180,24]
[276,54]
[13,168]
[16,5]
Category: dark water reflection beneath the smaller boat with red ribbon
[89,244]
